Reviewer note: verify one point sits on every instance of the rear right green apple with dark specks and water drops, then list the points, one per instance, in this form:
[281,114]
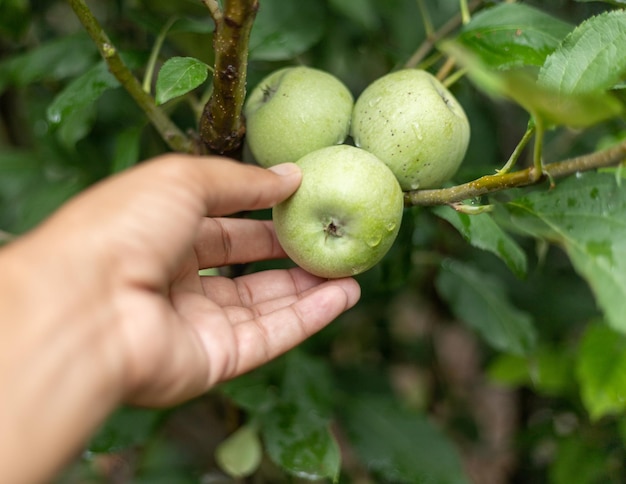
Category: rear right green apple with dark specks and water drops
[412,123]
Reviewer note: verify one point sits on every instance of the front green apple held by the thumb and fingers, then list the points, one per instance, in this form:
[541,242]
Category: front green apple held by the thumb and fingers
[344,216]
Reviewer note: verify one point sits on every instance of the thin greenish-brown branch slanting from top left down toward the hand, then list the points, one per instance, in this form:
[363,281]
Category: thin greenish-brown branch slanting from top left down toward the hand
[175,139]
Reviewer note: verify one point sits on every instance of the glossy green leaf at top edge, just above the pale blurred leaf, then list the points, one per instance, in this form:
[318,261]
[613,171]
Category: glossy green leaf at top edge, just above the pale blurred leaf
[513,35]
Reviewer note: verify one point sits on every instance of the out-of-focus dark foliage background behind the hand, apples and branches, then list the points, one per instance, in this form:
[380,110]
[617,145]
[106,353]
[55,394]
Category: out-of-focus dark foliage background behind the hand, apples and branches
[422,381]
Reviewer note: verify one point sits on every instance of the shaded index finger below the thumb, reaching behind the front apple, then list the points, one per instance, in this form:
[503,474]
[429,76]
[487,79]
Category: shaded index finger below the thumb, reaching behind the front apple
[224,241]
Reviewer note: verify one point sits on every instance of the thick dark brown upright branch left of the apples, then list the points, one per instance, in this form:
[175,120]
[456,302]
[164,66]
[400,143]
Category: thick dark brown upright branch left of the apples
[221,125]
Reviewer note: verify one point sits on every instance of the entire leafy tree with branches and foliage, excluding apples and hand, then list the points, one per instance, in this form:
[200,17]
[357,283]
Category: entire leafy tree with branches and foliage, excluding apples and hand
[490,342]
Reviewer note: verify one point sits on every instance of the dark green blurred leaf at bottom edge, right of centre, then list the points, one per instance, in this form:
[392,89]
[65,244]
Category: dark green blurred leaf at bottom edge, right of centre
[399,445]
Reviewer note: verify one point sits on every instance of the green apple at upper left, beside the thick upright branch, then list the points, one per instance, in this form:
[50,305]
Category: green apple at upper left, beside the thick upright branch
[294,111]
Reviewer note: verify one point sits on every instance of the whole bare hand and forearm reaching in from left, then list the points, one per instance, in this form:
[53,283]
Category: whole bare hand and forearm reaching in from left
[103,304]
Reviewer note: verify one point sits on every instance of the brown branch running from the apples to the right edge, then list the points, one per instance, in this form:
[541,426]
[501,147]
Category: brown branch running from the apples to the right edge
[495,183]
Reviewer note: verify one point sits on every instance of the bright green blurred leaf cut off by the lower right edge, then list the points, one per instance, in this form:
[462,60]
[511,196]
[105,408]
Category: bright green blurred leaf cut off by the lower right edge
[601,370]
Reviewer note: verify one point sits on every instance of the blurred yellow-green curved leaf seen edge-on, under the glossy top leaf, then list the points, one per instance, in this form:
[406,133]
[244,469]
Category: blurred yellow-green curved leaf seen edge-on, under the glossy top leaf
[561,109]
